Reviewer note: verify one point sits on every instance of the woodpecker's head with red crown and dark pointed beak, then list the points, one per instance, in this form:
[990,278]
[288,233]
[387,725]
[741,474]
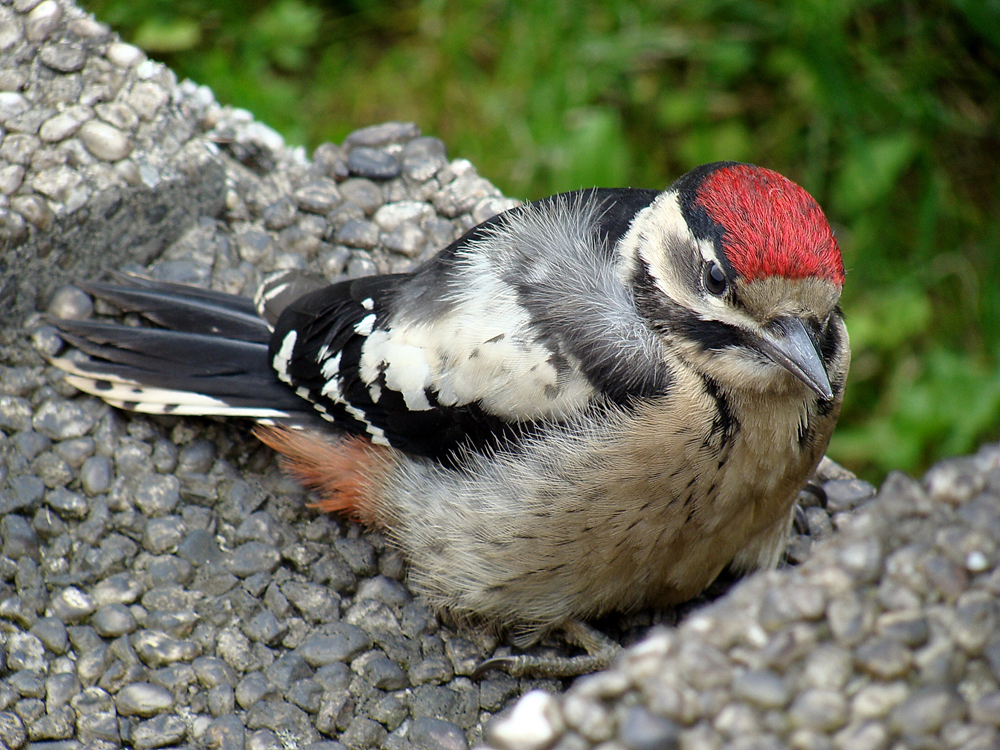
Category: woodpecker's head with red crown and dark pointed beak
[738,269]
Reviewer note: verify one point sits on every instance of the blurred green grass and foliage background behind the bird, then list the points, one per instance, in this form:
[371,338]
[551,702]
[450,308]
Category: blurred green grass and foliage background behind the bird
[885,110]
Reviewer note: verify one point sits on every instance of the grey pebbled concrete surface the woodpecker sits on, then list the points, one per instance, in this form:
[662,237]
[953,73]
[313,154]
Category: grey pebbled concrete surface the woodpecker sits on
[163,585]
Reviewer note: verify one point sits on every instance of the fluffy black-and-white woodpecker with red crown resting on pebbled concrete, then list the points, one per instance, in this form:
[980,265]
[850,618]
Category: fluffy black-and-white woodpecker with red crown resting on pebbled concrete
[594,402]
